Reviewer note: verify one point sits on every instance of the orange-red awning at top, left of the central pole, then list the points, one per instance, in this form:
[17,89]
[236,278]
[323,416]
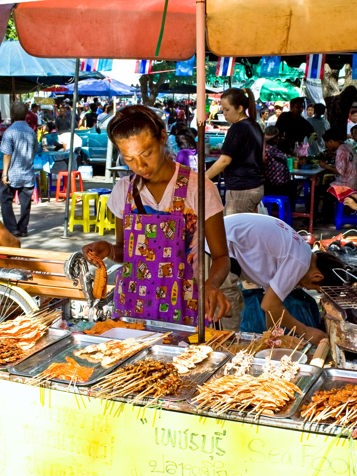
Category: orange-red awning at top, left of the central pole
[108,29]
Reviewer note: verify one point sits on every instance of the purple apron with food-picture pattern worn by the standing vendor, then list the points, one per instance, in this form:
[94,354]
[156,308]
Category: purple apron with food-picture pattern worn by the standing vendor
[156,280]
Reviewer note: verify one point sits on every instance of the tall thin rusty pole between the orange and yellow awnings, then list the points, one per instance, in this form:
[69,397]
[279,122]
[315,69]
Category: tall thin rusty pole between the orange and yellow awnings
[201,122]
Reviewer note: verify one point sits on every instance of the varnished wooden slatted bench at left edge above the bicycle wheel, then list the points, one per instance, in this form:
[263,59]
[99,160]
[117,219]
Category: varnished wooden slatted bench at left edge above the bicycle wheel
[47,268]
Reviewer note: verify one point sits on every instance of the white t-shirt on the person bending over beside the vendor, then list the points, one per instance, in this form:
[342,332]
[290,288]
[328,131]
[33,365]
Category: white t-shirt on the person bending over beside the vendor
[269,251]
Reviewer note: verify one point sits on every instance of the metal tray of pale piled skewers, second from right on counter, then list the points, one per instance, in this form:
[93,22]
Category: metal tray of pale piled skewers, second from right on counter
[304,380]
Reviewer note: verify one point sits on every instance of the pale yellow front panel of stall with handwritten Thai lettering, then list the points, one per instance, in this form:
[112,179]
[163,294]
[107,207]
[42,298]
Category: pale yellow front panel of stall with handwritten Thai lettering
[52,433]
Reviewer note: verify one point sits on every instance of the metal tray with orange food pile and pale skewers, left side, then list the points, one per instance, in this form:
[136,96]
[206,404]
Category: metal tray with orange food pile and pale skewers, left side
[37,363]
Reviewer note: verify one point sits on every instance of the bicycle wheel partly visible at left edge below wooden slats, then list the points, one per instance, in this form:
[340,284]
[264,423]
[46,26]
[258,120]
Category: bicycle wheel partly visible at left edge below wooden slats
[14,302]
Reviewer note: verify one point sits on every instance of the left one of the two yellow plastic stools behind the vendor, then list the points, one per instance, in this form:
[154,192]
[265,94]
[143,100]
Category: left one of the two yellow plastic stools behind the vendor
[86,218]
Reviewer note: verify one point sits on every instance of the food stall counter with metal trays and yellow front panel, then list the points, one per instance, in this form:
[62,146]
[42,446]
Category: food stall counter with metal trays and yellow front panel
[65,426]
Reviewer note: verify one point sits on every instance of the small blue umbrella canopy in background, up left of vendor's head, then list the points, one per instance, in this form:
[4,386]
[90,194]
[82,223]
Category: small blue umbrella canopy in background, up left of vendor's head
[107,87]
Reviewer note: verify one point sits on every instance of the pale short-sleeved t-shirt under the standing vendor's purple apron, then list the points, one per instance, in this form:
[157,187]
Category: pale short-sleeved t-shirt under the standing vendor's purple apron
[213,201]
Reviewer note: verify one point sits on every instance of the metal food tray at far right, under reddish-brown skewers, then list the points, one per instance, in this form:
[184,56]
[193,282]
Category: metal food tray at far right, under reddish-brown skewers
[328,379]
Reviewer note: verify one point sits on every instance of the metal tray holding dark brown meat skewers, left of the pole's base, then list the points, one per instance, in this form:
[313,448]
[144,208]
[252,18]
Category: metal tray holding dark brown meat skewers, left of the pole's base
[196,376]
